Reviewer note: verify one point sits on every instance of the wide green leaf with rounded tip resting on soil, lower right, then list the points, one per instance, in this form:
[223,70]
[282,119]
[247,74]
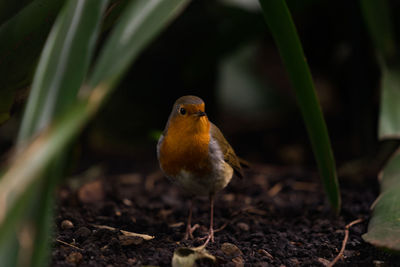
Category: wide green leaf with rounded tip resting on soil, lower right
[384,226]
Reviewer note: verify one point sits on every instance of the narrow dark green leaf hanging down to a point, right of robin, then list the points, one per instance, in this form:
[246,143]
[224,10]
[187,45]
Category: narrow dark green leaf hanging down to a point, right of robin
[284,33]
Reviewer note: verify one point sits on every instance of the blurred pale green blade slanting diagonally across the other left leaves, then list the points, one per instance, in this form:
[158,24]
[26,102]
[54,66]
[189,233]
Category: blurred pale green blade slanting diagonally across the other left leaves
[135,30]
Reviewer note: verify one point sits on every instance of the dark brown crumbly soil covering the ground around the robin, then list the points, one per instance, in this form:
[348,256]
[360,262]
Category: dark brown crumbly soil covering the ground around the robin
[276,216]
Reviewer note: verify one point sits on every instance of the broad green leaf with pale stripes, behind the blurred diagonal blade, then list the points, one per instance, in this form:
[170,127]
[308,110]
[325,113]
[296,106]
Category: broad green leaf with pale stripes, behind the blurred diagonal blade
[63,64]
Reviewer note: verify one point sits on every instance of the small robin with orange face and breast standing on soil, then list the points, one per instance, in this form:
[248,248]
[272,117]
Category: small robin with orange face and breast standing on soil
[194,154]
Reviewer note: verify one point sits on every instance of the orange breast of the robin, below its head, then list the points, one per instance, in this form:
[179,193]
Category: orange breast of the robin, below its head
[186,147]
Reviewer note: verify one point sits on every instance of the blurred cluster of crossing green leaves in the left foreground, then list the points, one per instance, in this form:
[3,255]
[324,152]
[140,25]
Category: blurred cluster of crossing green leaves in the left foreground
[55,114]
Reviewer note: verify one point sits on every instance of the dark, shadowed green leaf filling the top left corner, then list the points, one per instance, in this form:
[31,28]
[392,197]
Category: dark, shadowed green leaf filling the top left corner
[22,36]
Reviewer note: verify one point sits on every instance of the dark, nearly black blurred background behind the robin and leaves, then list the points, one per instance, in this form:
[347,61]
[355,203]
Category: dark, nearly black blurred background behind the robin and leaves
[223,53]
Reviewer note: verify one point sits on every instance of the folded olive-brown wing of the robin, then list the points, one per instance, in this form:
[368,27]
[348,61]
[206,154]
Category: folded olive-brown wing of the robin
[228,152]
